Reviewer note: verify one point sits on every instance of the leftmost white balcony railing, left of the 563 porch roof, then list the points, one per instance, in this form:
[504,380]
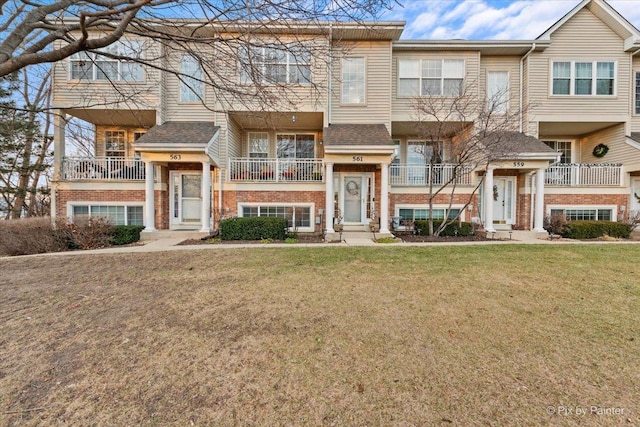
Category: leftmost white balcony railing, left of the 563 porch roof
[102,168]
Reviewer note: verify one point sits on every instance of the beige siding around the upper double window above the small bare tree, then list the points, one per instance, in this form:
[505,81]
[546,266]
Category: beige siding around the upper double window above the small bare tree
[402,107]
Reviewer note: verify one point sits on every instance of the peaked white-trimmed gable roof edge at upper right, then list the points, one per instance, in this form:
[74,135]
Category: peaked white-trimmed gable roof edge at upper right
[608,15]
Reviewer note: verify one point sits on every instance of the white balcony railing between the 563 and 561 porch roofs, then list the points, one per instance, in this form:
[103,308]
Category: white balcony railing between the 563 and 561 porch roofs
[275,170]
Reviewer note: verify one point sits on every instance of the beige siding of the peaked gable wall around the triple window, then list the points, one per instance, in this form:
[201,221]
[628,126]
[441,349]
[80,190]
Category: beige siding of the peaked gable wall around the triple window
[583,38]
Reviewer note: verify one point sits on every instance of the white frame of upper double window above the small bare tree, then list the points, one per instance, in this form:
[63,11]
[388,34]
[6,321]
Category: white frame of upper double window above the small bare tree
[418,65]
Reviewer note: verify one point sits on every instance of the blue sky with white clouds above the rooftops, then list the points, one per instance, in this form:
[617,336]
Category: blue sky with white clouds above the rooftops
[490,19]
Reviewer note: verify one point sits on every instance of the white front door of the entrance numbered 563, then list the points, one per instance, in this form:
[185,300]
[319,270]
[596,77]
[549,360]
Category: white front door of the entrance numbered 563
[186,198]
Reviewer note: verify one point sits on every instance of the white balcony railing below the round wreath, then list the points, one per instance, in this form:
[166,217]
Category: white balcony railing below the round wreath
[584,174]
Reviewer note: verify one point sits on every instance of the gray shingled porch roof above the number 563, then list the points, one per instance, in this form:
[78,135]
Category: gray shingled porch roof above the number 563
[180,133]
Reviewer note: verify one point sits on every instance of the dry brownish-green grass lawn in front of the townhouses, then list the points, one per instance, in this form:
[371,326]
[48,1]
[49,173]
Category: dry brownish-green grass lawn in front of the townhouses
[490,335]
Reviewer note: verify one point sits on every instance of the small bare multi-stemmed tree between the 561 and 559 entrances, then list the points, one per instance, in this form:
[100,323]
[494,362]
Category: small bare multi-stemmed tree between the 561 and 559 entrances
[473,129]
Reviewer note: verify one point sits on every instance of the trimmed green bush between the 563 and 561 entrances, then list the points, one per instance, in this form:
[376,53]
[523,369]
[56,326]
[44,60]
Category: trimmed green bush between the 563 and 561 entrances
[253,228]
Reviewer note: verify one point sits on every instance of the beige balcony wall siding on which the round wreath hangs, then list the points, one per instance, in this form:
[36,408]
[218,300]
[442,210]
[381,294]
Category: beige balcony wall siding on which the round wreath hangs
[614,137]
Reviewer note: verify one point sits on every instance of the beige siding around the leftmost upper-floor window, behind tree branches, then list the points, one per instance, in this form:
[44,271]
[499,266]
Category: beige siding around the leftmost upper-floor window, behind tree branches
[92,94]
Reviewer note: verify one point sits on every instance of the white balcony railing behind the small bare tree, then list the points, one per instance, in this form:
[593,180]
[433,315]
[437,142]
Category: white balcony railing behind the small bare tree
[421,175]
